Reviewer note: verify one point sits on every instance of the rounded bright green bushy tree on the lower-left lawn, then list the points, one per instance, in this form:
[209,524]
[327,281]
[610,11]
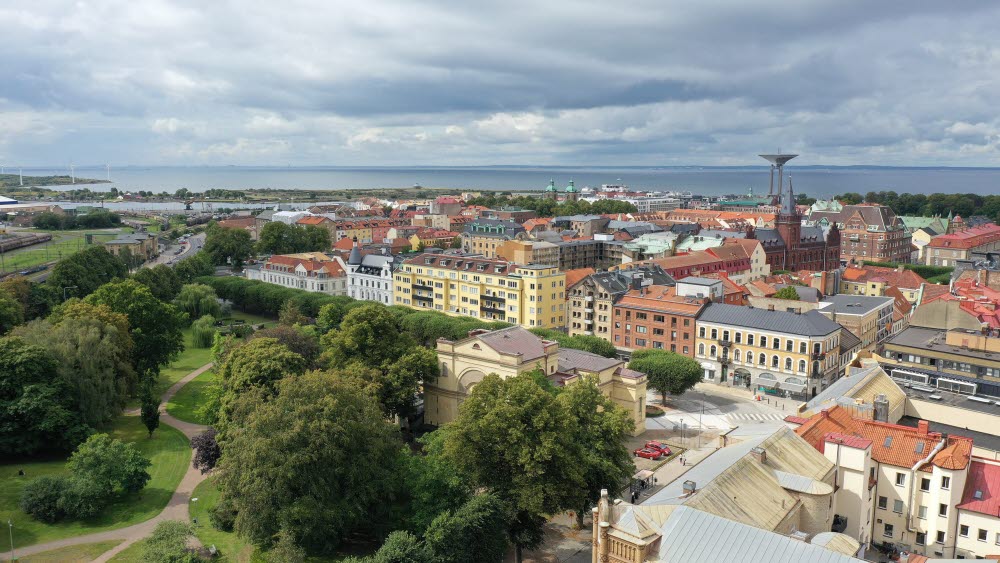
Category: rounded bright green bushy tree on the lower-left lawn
[113,466]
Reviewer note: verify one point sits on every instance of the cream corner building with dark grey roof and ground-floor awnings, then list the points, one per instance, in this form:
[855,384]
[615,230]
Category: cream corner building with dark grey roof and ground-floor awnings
[776,352]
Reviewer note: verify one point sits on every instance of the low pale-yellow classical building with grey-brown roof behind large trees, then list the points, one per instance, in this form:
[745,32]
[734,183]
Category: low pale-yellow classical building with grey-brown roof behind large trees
[512,351]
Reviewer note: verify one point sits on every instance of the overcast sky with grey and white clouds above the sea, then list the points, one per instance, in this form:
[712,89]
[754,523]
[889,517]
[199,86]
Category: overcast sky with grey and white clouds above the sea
[459,82]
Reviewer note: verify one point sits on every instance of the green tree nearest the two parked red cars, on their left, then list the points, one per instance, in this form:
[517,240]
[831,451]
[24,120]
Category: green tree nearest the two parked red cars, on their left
[600,428]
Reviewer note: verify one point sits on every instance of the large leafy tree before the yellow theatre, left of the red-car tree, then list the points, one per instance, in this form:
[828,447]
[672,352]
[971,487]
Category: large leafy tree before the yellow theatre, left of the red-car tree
[530,463]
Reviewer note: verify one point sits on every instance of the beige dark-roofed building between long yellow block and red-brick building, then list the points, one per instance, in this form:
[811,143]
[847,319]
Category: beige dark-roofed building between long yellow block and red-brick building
[591,300]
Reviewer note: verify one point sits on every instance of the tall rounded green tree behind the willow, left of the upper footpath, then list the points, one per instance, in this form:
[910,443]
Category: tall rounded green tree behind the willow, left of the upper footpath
[155,326]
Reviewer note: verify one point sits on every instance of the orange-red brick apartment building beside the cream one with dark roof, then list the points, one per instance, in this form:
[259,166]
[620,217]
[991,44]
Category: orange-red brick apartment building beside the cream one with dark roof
[662,317]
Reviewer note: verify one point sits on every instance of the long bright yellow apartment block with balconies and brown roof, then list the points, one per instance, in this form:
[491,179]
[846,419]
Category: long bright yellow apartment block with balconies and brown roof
[494,290]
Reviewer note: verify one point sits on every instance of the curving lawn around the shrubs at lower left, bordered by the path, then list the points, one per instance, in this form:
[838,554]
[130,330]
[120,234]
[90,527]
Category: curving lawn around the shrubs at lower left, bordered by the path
[169,452]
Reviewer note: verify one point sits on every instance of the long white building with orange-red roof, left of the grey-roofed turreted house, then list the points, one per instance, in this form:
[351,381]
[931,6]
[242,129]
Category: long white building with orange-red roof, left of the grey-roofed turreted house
[311,271]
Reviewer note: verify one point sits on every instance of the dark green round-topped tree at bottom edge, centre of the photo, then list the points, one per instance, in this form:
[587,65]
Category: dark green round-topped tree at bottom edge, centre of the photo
[474,533]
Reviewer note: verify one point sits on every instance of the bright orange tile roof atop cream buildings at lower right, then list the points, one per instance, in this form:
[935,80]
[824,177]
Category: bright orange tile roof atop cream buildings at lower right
[900,451]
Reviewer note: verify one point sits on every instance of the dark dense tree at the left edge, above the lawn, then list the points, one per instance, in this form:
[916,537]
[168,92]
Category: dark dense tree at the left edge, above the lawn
[37,411]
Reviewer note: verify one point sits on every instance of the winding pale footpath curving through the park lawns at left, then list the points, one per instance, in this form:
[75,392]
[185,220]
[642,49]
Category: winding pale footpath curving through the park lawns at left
[176,509]
